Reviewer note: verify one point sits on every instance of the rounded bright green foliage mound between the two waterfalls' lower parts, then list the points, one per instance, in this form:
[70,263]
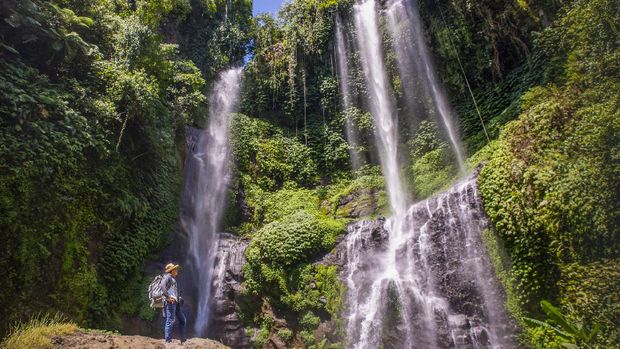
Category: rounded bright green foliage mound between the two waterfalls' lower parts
[279,271]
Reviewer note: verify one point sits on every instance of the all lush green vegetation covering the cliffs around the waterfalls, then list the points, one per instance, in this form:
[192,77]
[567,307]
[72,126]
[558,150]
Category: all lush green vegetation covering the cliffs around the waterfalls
[94,96]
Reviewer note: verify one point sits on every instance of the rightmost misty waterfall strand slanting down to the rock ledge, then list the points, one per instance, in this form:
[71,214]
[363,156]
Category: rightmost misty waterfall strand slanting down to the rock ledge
[416,67]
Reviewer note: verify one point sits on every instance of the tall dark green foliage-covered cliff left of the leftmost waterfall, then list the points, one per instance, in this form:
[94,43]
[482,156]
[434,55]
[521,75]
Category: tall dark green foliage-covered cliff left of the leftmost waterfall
[91,103]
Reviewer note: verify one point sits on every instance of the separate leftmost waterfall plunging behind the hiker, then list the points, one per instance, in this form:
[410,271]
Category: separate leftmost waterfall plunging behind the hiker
[207,175]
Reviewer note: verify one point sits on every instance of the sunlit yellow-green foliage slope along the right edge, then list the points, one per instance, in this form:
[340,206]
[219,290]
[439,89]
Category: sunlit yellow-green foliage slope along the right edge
[550,186]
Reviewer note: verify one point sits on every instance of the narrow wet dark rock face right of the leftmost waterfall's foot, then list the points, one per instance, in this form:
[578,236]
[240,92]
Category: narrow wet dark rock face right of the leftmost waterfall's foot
[228,275]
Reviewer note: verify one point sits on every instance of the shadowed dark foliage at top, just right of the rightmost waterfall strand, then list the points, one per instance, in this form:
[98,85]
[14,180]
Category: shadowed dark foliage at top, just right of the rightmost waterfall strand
[490,38]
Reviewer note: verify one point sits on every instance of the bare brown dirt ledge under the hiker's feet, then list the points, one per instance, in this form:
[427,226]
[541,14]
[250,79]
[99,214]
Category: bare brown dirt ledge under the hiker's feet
[94,340]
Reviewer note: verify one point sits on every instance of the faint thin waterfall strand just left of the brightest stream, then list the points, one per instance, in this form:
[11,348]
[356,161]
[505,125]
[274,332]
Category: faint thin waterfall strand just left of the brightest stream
[343,74]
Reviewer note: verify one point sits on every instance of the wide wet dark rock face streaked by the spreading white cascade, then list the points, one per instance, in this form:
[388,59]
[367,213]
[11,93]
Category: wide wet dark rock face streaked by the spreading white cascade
[444,294]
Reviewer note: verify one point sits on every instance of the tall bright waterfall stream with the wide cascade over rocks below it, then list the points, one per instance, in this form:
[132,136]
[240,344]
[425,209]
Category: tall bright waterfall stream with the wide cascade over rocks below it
[399,293]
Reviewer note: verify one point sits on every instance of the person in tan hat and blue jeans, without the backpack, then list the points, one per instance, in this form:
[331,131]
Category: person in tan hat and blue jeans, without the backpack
[172,302]
